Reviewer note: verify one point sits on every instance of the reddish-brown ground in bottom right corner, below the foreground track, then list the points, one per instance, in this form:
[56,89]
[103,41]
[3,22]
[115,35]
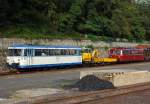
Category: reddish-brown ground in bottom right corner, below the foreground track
[141,97]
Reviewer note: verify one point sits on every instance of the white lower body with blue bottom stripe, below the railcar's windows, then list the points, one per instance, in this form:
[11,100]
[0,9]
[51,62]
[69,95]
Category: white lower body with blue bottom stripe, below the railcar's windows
[44,61]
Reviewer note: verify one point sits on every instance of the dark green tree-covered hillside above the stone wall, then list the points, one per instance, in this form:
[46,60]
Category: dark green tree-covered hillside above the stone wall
[75,18]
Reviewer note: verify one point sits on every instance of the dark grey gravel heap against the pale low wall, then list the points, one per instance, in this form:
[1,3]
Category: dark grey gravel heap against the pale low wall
[92,83]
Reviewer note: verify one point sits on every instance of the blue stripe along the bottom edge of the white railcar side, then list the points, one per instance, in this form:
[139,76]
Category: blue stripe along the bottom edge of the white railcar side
[49,65]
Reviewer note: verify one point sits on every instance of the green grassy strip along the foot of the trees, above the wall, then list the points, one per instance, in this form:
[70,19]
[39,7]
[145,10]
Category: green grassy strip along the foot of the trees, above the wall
[33,32]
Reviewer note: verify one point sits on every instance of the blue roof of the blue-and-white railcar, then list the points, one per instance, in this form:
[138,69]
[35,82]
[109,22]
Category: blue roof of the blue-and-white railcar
[42,46]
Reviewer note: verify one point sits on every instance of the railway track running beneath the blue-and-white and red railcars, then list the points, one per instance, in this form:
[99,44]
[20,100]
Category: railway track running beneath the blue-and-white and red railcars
[29,71]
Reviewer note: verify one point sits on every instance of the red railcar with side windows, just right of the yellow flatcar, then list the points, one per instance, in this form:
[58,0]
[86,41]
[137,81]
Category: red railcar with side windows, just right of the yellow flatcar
[127,54]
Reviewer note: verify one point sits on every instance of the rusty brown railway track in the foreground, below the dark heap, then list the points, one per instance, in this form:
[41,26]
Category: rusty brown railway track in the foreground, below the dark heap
[87,97]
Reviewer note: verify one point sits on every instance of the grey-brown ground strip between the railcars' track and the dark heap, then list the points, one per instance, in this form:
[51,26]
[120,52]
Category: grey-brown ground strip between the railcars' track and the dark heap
[52,79]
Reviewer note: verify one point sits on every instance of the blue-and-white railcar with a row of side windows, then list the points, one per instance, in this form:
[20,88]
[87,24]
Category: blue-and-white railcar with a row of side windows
[38,56]
